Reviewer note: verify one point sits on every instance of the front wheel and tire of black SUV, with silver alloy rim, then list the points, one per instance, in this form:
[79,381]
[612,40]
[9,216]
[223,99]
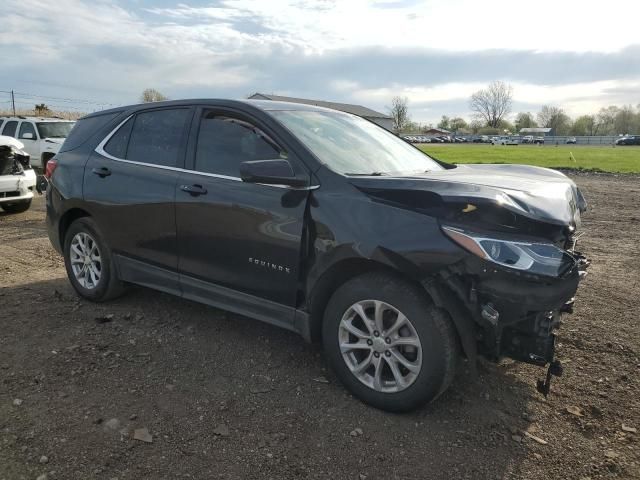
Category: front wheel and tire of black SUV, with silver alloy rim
[436,355]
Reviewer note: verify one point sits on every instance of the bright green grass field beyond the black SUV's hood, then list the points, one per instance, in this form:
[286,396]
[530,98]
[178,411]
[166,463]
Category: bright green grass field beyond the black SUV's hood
[605,158]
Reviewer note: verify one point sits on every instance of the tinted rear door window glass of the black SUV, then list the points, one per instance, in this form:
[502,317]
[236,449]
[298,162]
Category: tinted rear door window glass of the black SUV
[156,136]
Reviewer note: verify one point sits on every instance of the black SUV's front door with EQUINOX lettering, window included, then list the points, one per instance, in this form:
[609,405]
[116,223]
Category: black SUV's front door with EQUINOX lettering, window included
[242,236]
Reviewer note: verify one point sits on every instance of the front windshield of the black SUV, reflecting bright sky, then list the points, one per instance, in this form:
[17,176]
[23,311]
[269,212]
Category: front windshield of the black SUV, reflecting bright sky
[351,145]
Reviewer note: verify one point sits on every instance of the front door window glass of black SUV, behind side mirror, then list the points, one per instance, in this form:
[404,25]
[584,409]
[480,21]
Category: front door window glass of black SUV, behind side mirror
[225,142]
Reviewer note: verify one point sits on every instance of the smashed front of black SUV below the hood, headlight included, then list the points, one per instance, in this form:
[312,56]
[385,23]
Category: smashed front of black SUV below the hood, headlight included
[516,286]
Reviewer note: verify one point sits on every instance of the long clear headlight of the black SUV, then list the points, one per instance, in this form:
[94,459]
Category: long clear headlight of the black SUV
[537,258]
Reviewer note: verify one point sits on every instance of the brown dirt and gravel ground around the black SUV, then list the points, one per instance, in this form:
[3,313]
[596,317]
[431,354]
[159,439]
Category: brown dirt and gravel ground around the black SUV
[223,396]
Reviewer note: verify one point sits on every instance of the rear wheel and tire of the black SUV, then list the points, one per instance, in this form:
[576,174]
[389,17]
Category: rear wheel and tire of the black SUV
[103,285]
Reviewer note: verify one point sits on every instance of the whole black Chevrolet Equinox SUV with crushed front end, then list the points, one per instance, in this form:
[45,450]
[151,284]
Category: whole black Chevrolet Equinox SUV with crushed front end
[323,223]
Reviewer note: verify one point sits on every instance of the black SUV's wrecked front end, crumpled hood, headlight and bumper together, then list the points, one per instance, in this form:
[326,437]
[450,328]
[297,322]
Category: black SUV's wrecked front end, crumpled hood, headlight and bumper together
[519,225]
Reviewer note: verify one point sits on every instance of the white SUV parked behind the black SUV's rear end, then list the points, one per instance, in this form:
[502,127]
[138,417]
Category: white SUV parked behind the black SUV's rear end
[42,137]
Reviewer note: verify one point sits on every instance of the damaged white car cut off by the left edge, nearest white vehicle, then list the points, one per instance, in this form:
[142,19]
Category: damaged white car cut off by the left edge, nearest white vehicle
[17,178]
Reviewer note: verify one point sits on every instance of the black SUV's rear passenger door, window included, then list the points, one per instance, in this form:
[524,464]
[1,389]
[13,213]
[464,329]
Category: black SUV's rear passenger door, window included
[130,183]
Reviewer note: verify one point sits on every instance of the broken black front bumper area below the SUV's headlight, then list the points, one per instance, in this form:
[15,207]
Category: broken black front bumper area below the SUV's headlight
[515,314]
